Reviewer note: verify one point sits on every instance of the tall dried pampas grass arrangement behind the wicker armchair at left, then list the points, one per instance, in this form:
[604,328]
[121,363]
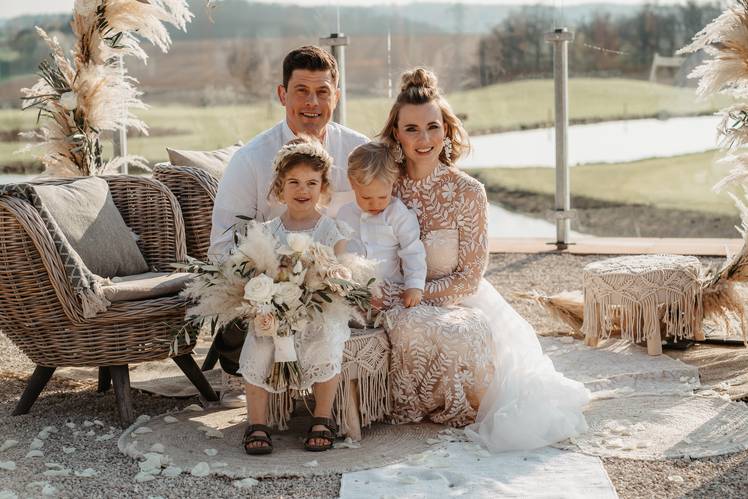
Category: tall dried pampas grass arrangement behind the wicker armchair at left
[80,97]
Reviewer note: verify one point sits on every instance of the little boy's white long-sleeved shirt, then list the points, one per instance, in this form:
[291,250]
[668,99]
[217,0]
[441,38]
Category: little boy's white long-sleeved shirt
[392,238]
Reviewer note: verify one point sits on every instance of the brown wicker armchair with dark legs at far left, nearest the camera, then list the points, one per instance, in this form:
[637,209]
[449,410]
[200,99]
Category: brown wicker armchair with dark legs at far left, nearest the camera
[42,315]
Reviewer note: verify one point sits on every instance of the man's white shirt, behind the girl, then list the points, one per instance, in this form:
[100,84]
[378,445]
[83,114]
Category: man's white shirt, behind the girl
[245,185]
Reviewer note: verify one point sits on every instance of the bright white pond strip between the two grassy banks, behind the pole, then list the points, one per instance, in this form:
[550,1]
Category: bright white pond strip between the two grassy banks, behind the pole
[609,142]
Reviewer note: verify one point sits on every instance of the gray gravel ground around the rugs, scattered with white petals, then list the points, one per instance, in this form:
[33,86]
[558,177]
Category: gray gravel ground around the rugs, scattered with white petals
[66,401]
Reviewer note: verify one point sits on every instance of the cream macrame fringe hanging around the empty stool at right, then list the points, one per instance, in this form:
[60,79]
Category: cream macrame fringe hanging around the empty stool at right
[679,313]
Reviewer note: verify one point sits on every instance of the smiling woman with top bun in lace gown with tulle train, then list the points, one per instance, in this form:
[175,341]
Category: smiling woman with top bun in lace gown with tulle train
[465,356]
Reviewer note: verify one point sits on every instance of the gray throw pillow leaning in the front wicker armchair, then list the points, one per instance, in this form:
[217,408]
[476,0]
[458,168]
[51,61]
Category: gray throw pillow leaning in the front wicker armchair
[85,212]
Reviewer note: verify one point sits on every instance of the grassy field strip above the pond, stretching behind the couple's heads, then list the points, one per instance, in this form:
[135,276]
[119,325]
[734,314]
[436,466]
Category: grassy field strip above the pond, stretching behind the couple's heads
[498,107]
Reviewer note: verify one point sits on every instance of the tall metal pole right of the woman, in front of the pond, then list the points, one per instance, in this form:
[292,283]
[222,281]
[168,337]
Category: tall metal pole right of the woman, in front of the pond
[560,39]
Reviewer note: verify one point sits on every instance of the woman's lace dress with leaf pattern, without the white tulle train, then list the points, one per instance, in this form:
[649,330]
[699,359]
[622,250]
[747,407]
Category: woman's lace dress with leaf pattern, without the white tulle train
[442,354]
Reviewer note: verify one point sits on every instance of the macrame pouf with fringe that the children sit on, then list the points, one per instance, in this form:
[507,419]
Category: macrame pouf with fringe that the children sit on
[363,395]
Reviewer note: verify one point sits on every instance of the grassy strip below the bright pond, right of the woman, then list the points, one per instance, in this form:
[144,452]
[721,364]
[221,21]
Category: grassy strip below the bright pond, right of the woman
[680,182]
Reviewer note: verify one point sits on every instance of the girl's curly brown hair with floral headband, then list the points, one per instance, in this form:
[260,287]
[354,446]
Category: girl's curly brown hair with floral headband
[302,150]
